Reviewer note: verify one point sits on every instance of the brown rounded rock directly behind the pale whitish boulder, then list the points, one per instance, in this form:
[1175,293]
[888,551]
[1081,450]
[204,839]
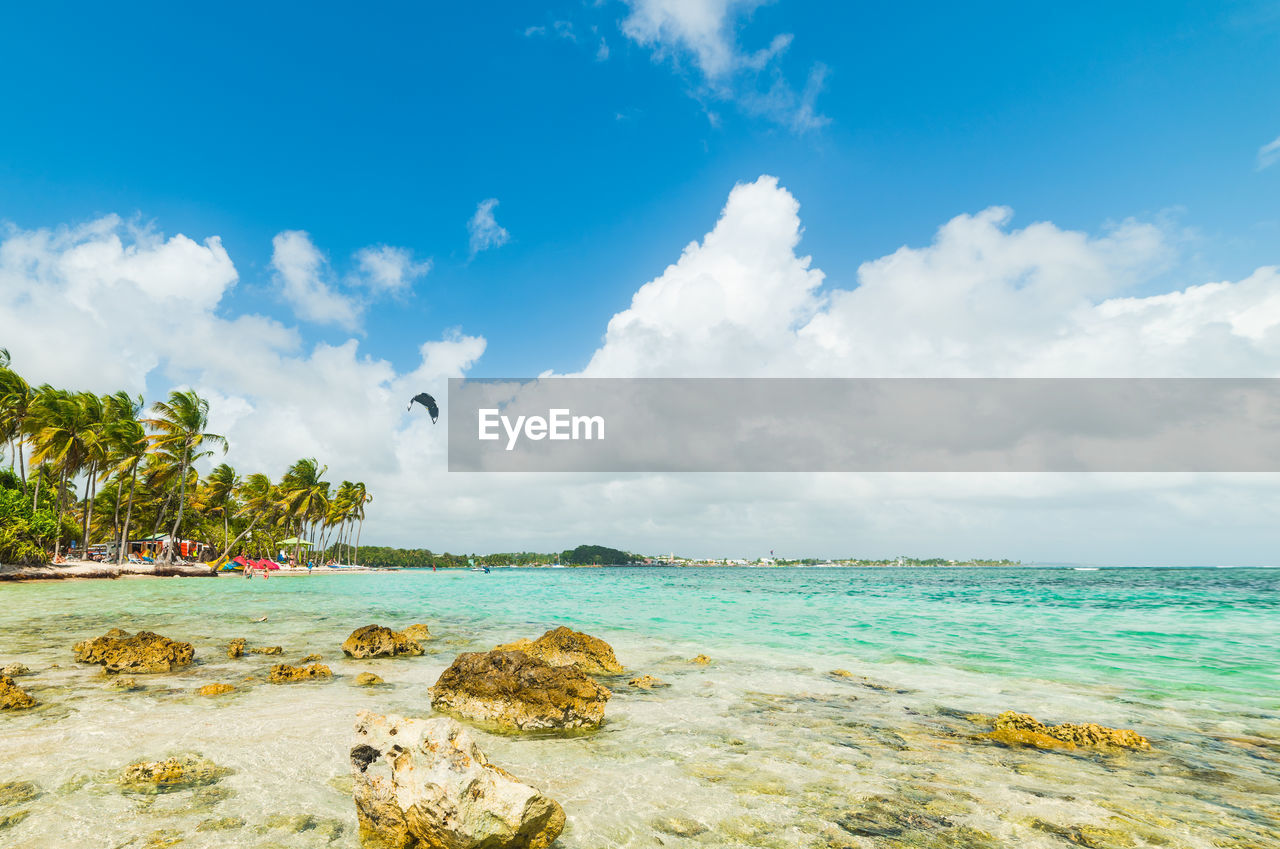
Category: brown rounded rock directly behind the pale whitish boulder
[518,692]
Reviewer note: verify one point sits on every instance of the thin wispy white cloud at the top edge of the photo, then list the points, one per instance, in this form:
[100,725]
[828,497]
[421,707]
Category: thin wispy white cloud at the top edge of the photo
[706,34]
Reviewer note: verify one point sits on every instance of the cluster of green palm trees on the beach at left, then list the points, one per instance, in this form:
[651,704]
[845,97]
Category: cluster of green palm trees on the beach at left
[84,469]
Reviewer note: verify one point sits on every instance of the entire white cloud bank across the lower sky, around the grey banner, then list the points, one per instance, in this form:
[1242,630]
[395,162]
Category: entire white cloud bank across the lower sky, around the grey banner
[982,298]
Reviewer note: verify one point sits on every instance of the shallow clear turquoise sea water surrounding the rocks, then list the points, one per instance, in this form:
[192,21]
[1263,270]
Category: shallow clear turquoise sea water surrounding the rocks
[762,748]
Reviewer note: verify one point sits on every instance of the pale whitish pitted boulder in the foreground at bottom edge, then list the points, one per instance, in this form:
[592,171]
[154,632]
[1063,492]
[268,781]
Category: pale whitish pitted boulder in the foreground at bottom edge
[424,784]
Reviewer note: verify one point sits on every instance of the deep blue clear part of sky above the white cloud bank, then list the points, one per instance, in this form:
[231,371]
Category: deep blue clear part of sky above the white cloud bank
[390,125]
